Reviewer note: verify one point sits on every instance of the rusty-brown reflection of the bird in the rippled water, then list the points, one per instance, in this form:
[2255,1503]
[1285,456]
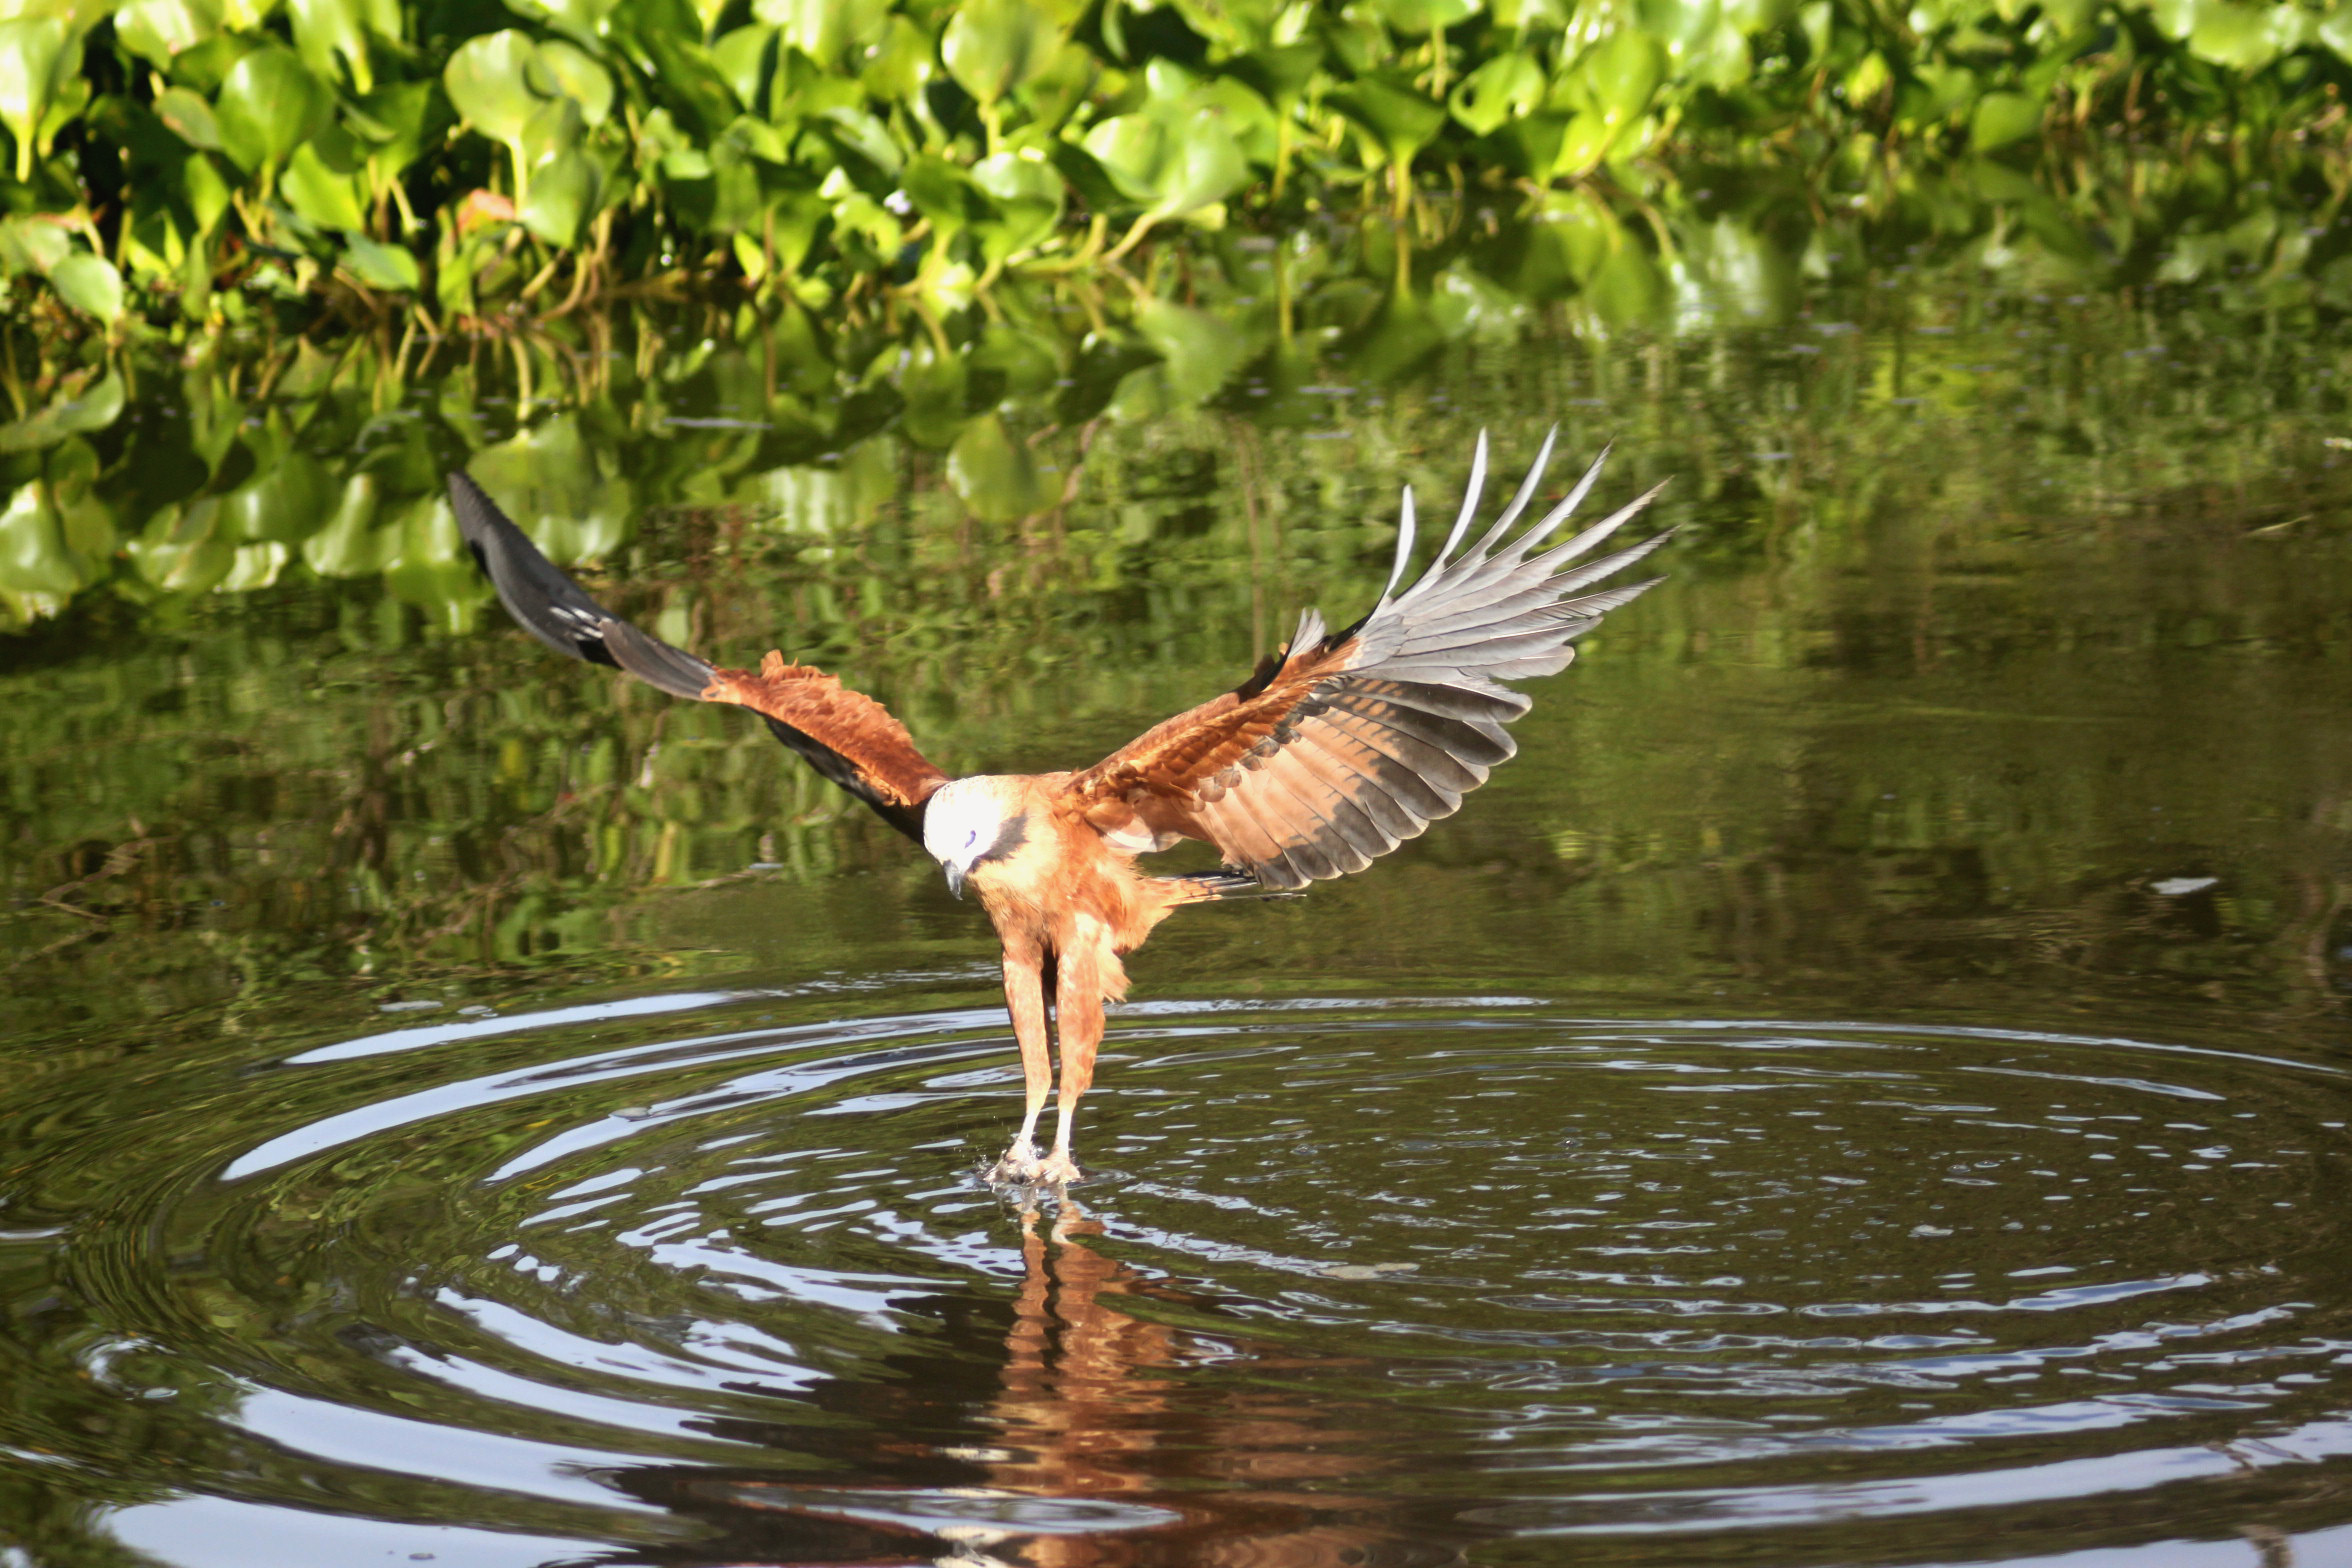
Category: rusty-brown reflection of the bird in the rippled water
[1088,1449]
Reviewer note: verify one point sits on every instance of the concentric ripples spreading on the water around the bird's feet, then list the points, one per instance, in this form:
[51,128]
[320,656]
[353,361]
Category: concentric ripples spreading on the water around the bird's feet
[697,1280]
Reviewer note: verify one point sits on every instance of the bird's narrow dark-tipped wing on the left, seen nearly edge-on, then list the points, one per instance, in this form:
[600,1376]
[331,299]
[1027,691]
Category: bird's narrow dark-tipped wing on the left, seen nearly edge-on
[846,735]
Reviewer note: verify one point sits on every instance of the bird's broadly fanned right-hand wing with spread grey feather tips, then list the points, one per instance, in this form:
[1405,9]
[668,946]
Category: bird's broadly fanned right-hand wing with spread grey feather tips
[1361,739]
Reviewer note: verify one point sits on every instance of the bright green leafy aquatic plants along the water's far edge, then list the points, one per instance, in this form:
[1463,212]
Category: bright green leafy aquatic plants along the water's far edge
[215,161]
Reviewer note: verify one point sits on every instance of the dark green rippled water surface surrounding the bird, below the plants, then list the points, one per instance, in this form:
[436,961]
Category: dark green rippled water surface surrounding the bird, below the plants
[1869,1085]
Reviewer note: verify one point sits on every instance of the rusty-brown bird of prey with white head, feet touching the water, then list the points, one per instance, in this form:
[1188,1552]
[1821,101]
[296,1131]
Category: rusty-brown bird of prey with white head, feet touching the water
[1339,749]
